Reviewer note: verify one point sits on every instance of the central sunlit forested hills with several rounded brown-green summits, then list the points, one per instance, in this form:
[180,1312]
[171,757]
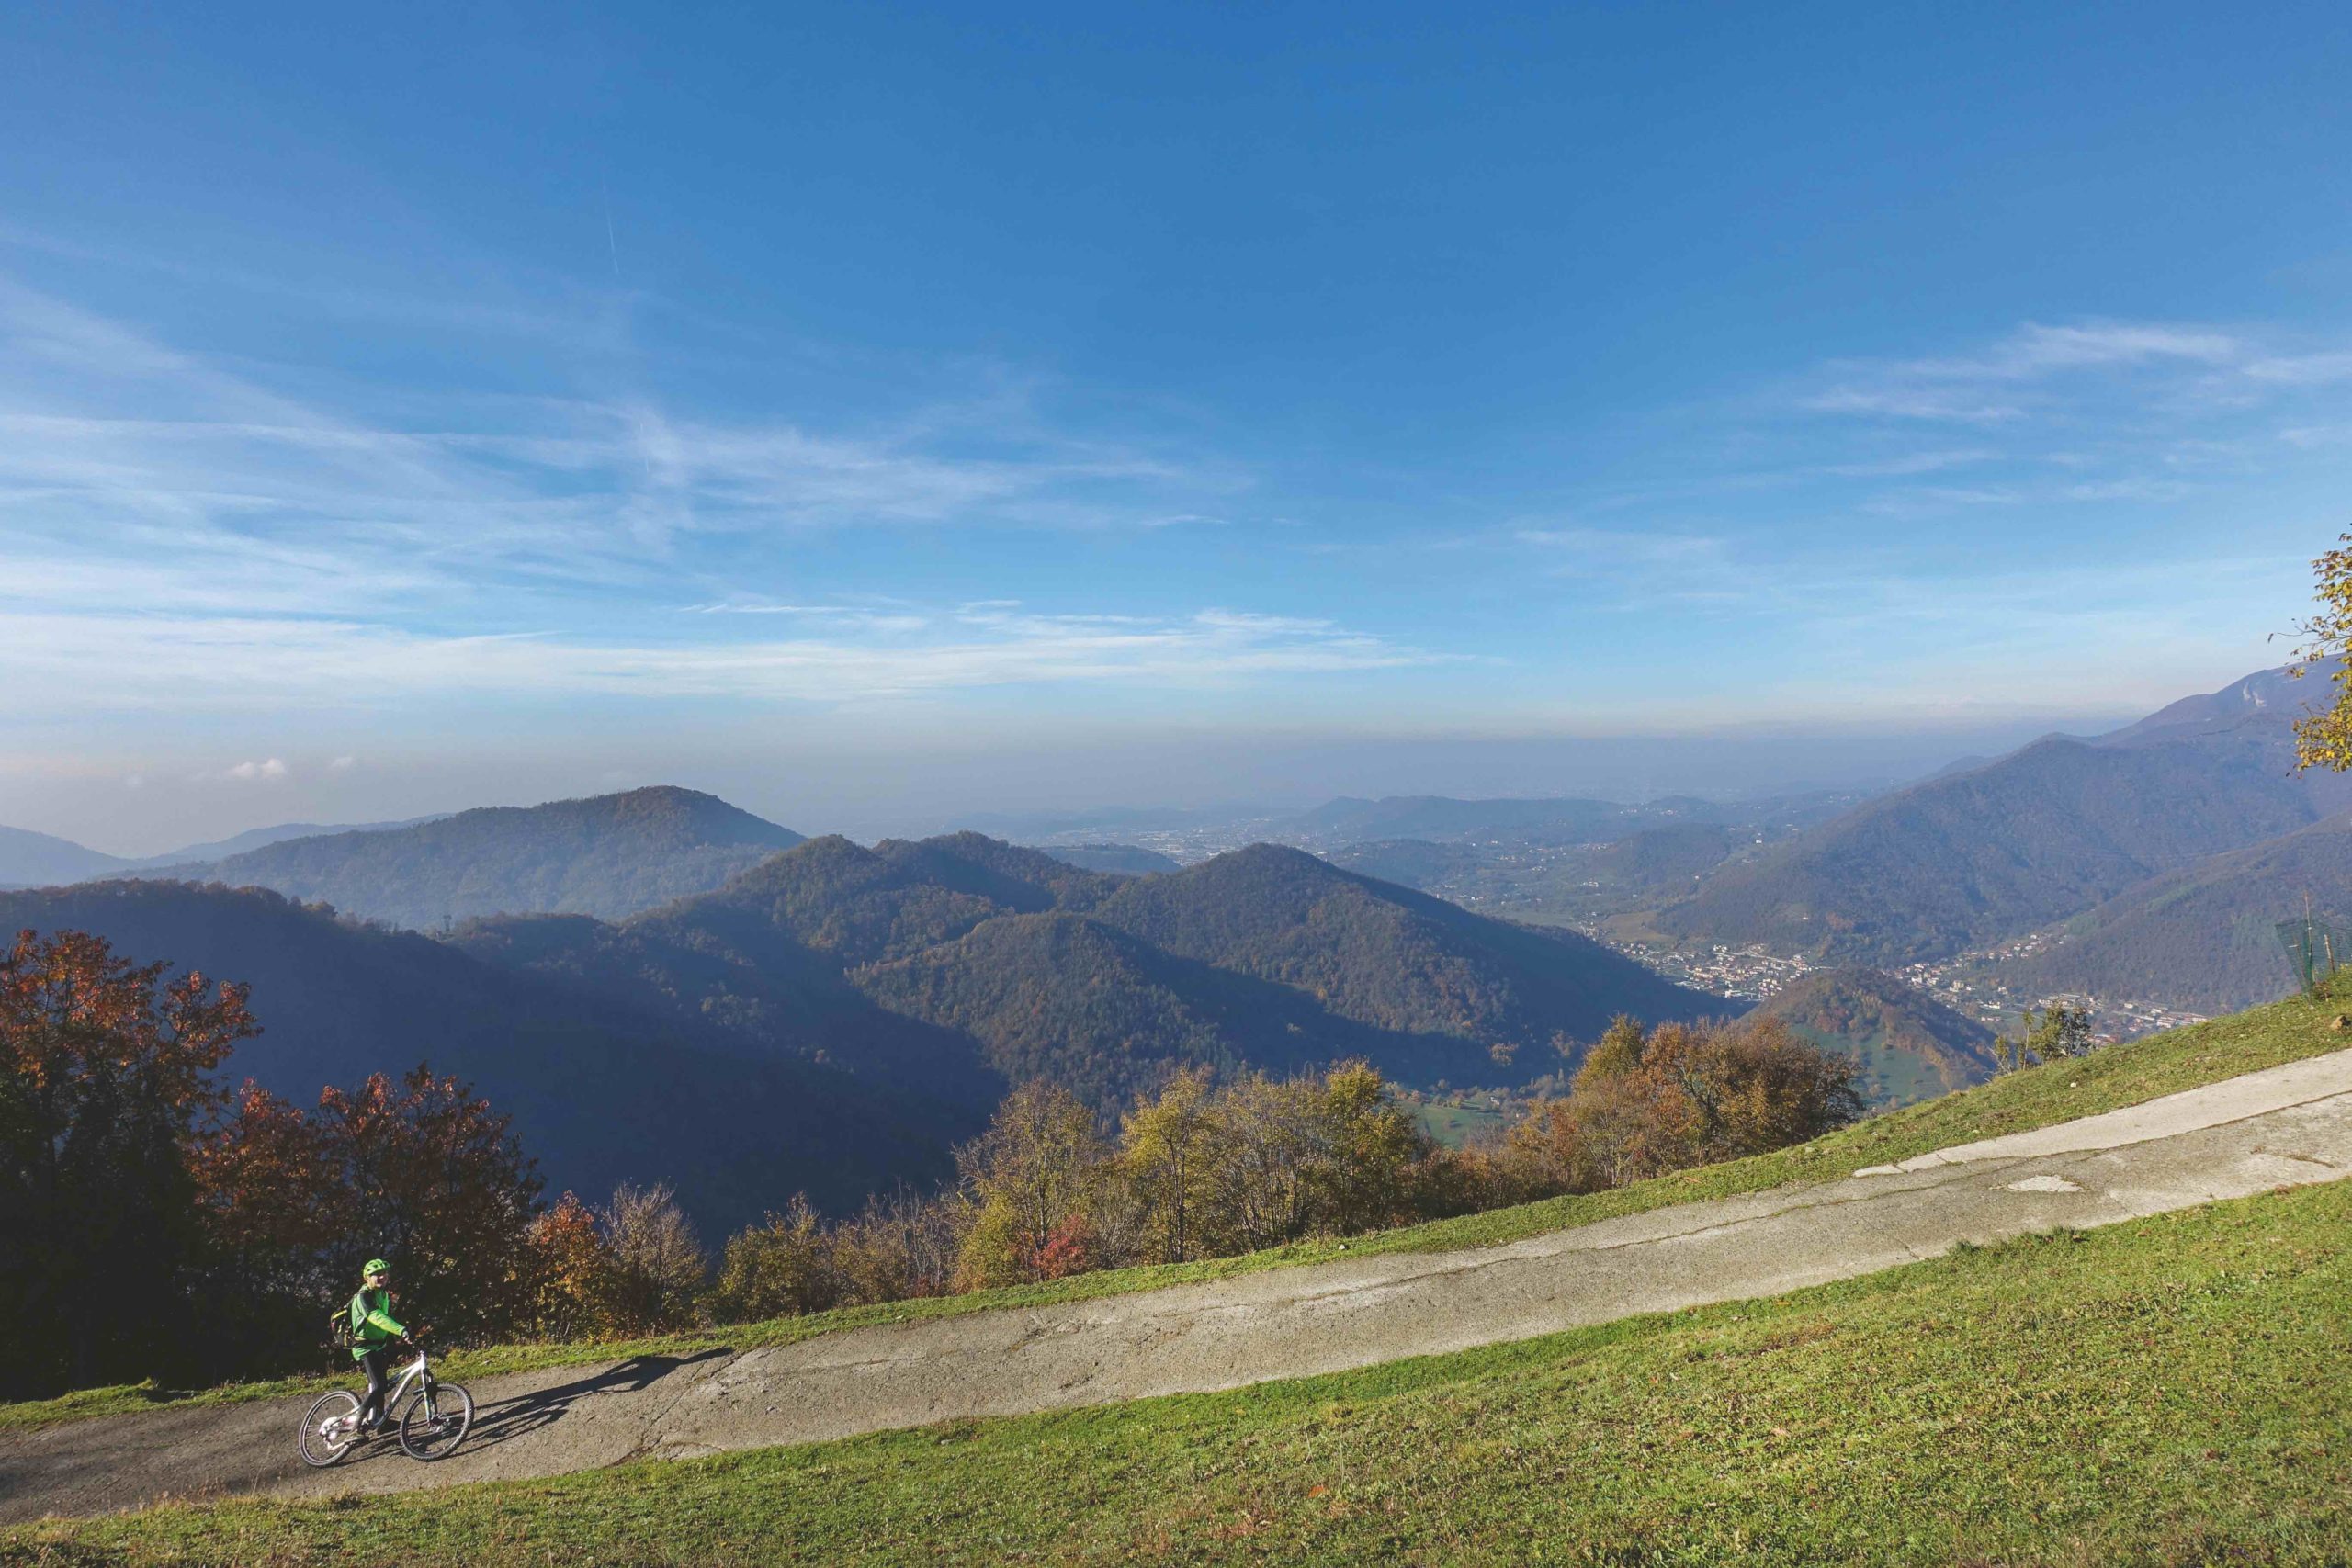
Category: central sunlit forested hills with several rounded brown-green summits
[1264,958]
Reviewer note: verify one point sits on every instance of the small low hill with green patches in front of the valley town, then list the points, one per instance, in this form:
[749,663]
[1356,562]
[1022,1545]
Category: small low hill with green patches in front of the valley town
[1911,1047]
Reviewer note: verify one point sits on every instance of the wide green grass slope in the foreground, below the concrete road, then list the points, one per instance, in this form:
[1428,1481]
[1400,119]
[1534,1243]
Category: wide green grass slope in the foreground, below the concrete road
[2160,1393]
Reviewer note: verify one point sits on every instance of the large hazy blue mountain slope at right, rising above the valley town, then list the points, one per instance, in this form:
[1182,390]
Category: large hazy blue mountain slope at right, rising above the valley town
[2033,838]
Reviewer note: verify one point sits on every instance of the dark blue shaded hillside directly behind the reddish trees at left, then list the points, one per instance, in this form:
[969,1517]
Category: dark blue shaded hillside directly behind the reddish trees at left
[603,1087]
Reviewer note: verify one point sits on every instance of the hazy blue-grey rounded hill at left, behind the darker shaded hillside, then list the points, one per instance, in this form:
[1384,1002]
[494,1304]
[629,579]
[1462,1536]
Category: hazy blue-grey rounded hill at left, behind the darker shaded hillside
[610,857]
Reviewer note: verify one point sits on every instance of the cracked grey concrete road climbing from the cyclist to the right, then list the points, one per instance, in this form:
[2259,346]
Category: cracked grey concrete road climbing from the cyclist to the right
[2269,1130]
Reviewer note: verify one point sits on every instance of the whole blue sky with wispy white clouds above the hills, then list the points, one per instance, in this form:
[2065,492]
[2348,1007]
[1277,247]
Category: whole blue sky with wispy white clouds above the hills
[874,410]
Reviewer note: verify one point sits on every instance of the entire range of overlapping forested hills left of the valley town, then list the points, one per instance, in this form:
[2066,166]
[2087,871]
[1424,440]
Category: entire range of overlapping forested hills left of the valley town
[834,1019]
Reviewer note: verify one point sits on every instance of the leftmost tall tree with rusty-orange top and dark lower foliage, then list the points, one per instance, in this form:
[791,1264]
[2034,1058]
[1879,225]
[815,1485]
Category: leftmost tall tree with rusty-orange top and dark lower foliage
[105,1083]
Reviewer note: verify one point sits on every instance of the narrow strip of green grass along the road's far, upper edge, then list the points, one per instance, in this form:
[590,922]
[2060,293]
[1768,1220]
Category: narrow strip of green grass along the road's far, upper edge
[2012,1104]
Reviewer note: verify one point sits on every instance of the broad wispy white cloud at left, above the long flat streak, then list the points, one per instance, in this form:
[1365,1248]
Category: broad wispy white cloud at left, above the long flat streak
[140,474]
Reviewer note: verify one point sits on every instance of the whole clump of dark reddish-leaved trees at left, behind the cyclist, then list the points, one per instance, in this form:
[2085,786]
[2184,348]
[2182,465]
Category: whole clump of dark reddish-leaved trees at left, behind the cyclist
[156,1226]
